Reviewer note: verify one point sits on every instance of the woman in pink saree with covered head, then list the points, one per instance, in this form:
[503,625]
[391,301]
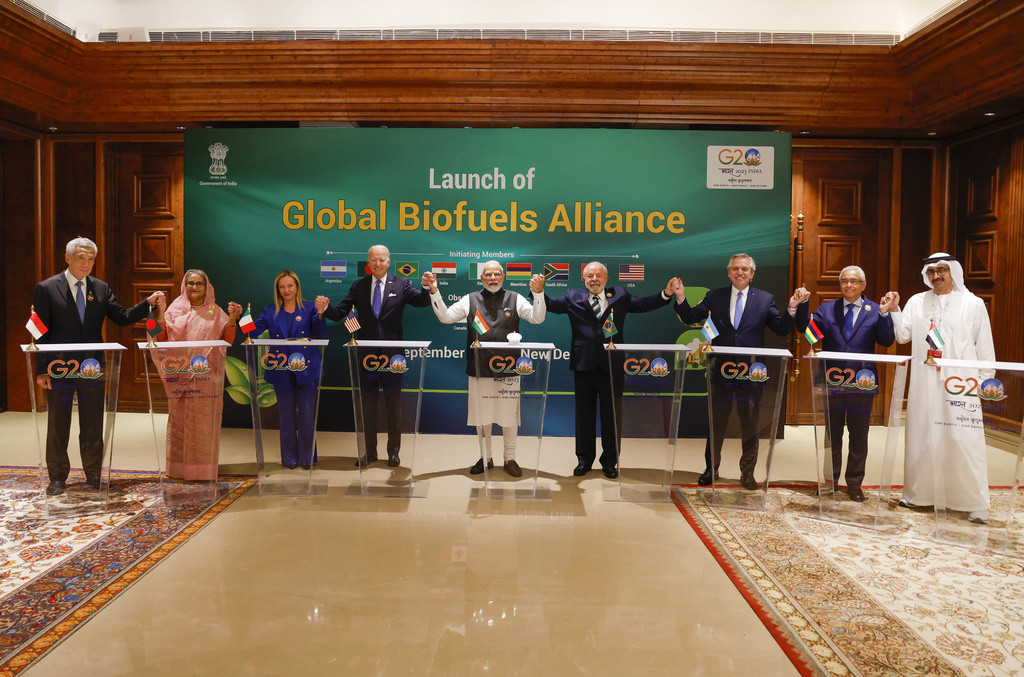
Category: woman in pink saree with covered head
[194,420]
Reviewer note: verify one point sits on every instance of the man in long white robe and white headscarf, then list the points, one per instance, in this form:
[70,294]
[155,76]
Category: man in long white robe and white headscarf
[944,429]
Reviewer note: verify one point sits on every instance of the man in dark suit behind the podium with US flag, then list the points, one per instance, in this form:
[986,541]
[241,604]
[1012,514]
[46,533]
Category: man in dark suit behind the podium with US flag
[379,299]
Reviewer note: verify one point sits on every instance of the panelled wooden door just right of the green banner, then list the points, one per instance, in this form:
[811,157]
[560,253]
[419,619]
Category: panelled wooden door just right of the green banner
[842,198]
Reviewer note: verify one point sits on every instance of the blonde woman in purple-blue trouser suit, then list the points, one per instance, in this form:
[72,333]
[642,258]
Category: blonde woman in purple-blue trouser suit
[297,382]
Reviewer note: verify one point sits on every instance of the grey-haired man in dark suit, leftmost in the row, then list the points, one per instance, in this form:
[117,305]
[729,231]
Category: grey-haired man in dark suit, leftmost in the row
[73,306]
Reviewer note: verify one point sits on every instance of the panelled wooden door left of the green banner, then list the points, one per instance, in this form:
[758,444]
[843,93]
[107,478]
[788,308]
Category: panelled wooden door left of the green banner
[145,244]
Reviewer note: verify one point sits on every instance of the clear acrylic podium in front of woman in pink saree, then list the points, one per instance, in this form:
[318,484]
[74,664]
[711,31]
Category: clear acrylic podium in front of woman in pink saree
[190,392]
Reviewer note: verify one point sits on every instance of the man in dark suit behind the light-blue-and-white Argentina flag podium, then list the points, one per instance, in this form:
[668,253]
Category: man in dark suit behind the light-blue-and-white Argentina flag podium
[742,314]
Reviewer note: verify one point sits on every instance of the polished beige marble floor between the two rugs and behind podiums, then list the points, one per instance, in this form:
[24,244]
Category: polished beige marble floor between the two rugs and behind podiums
[450,584]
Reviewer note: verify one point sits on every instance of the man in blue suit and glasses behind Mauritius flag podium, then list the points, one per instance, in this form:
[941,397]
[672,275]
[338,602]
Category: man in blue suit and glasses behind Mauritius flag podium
[852,324]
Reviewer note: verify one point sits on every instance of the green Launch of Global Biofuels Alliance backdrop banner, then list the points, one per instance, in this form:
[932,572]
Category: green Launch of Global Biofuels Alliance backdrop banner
[648,204]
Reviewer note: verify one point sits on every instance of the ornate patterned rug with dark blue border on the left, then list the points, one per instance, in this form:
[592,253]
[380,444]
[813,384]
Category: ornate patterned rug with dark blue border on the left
[56,574]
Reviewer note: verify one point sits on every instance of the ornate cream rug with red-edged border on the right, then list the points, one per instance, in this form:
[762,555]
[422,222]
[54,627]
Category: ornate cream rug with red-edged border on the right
[846,601]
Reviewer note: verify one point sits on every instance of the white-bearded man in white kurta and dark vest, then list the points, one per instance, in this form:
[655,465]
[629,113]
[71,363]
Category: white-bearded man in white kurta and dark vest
[492,314]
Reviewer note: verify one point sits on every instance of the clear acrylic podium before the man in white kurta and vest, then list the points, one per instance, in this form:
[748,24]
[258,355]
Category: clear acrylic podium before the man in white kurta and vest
[515,386]
